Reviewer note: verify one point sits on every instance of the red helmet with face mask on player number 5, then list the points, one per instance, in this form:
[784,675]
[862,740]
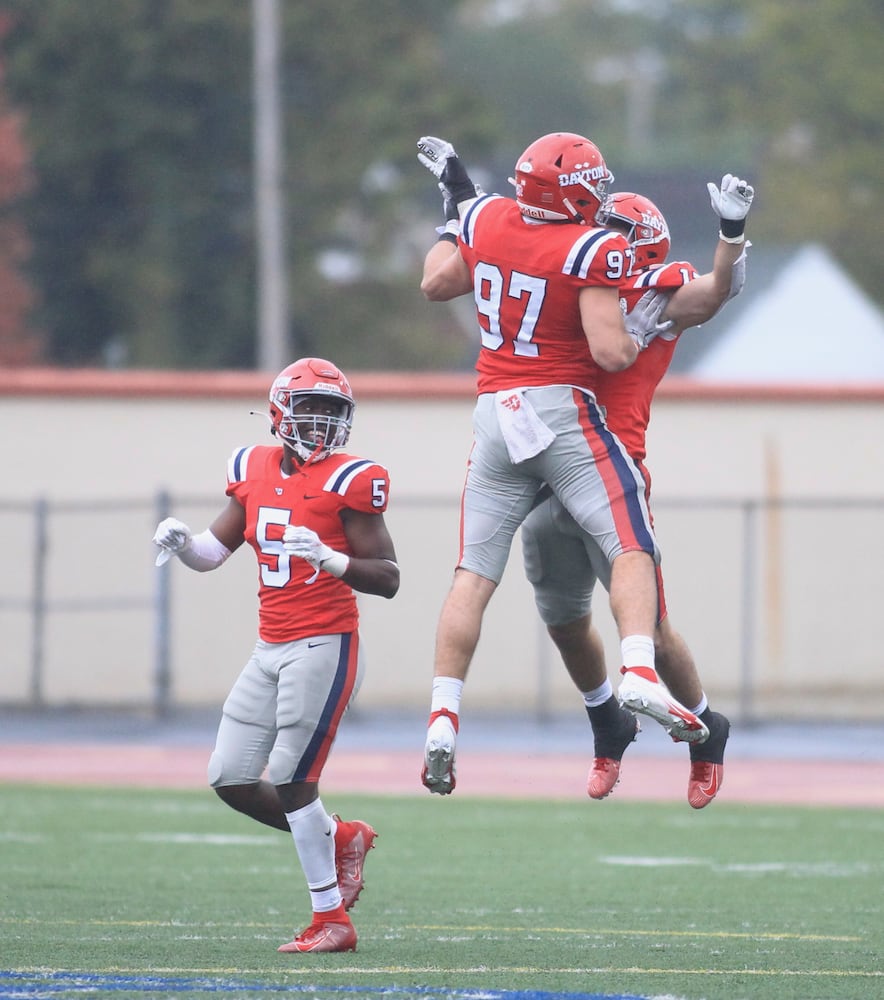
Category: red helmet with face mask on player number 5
[312,435]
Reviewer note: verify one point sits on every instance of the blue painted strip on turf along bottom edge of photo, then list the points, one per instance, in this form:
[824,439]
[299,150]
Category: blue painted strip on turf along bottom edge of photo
[61,984]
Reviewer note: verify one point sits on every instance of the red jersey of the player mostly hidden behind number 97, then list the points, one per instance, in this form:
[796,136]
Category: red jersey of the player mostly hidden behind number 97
[626,395]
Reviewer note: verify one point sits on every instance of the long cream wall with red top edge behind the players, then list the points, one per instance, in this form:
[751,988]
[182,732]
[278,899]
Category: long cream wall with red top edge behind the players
[769,507]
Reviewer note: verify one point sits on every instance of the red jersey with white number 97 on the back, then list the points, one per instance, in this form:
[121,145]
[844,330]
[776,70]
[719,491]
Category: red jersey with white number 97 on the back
[527,277]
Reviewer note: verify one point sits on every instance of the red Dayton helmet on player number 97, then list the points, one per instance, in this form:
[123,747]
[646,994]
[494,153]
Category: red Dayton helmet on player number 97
[561,176]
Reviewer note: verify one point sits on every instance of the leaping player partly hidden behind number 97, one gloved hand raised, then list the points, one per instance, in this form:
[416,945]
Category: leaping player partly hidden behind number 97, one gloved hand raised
[563,562]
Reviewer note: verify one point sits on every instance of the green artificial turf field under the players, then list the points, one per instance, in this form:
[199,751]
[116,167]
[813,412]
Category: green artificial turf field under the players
[169,893]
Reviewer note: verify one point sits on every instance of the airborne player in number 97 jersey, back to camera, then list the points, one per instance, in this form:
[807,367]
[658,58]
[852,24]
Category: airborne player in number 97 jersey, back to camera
[545,281]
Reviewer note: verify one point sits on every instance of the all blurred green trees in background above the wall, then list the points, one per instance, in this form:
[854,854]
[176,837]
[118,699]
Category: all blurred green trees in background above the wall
[139,117]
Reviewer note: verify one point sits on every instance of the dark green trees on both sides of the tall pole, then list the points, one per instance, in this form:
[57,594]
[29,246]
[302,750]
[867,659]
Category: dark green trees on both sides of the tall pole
[139,113]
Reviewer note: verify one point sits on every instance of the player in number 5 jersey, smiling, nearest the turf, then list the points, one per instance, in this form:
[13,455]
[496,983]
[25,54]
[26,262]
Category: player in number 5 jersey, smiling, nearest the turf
[314,516]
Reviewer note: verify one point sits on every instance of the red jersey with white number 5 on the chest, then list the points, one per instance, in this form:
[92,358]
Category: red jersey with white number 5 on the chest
[314,496]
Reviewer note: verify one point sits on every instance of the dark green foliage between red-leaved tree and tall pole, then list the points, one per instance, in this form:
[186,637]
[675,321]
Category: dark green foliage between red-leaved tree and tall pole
[138,118]
